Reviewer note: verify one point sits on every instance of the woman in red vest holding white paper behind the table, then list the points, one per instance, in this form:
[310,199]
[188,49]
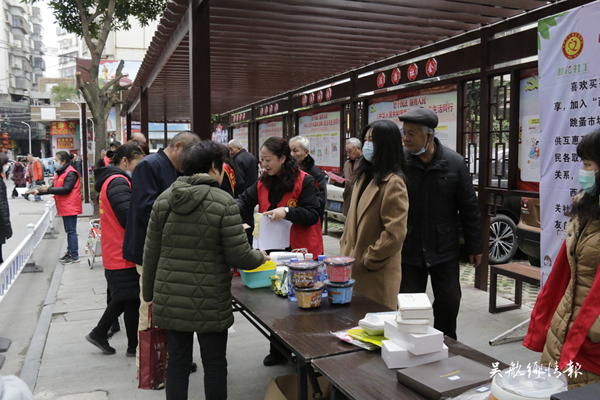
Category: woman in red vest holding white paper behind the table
[286,192]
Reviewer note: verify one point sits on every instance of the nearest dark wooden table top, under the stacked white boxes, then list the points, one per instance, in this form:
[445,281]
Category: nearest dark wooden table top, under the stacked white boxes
[364,375]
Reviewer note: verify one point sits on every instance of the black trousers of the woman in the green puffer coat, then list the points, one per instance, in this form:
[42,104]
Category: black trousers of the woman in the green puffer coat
[213,351]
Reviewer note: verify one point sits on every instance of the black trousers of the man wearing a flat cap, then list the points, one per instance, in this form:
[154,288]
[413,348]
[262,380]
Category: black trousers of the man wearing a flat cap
[445,281]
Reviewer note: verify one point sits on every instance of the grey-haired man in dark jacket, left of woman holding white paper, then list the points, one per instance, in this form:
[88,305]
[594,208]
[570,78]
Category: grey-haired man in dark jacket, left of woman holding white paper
[246,174]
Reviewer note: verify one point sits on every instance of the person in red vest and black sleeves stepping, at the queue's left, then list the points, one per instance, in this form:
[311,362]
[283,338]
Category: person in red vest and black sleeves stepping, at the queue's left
[113,182]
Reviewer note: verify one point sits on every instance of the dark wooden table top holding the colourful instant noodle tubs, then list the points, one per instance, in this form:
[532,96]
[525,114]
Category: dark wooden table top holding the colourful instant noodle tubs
[307,332]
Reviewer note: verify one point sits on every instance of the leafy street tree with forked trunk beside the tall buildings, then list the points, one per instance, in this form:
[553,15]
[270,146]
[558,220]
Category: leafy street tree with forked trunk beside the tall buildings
[93,20]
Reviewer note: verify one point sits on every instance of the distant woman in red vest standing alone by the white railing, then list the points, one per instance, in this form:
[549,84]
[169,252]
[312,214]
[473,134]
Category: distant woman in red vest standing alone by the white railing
[67,195]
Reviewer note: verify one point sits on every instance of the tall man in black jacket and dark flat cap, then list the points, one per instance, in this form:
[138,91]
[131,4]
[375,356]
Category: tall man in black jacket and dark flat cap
[440,193]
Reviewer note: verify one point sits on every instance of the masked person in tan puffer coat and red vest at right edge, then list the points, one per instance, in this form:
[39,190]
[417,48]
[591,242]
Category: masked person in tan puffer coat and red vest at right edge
[564,323]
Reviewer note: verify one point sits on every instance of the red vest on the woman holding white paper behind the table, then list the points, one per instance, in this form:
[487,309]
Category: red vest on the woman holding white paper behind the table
[308,237]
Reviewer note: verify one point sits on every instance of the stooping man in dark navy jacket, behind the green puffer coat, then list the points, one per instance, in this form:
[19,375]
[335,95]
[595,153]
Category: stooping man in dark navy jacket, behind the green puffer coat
[152,176]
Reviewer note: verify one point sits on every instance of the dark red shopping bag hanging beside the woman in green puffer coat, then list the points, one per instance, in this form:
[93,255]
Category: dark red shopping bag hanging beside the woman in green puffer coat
[153,355]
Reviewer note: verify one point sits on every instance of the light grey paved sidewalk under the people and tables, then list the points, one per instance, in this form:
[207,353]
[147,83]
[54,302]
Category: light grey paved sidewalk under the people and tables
[73,369]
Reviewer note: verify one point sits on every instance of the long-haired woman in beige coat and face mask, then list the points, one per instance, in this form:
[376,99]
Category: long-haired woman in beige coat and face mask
[376,223]
